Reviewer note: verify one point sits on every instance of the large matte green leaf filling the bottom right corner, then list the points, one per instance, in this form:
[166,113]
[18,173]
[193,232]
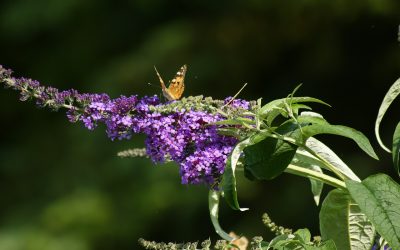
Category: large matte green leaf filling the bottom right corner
[379,198]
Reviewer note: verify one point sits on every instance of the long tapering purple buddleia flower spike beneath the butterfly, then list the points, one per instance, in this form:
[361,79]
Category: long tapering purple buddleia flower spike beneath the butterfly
[184,133]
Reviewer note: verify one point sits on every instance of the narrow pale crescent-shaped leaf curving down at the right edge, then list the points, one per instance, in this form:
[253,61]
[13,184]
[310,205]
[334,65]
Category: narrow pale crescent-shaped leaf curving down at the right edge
[393,92]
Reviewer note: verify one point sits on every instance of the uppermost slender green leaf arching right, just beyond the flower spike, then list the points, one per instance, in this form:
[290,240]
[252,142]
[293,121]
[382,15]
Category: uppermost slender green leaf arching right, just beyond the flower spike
[274,108]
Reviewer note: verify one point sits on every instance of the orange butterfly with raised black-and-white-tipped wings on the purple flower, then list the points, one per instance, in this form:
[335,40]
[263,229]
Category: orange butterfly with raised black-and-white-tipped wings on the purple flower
[176,85]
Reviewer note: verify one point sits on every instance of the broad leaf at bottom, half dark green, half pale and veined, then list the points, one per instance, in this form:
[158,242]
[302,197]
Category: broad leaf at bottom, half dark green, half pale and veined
[342,221]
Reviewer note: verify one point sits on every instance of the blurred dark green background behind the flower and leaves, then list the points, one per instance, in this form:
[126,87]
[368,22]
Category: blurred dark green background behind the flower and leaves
[62,186]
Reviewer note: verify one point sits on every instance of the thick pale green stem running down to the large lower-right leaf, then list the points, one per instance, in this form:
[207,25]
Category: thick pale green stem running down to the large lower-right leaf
[293,169]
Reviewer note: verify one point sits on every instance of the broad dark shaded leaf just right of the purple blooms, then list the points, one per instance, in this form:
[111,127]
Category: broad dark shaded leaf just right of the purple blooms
[268,158]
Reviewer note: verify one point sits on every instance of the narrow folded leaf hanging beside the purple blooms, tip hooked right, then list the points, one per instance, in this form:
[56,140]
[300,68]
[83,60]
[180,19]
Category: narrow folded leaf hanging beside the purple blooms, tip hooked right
[229,177]
